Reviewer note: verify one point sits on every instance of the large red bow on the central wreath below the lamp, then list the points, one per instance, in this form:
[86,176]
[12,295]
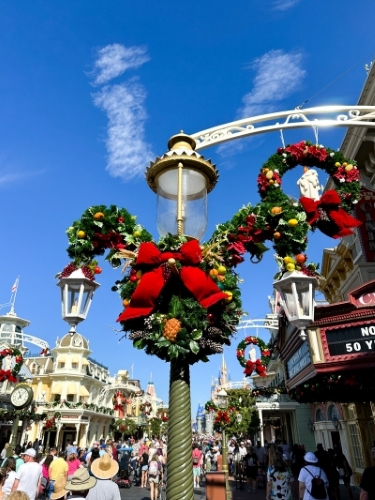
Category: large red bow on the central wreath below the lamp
[150,286]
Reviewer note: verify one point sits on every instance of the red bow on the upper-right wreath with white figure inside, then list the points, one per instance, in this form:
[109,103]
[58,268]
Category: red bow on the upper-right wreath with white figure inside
[330,202]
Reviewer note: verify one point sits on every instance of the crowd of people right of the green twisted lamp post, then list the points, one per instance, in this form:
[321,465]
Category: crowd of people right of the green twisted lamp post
[287,473]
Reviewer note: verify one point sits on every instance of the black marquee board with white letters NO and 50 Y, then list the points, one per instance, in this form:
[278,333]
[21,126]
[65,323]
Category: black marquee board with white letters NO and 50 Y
[351,340]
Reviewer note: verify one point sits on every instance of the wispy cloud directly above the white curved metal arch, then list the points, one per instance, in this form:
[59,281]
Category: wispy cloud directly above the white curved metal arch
[278,75]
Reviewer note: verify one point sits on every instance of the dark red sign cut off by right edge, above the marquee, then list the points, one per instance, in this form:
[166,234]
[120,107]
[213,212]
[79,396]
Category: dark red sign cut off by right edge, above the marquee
[365,212]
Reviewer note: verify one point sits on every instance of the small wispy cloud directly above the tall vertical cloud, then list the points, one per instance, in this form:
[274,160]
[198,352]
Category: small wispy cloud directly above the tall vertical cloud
[113,60]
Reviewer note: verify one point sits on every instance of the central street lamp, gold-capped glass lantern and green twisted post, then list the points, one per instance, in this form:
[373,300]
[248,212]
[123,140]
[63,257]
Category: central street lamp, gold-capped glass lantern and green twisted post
[181,178]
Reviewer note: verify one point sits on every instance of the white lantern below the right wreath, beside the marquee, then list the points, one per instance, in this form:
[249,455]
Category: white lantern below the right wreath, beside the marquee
[297,291]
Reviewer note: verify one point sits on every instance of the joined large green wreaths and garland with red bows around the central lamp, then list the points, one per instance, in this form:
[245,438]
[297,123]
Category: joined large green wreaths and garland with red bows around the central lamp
[182,299]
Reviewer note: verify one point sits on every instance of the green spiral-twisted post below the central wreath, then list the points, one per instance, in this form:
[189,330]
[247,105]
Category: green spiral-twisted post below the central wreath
[180,462]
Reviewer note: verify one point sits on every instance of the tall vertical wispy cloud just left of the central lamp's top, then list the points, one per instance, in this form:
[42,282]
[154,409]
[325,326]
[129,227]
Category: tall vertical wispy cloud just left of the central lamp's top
[128,153]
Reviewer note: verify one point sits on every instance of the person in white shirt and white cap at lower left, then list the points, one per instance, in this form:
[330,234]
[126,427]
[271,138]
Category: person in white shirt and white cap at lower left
[29,475]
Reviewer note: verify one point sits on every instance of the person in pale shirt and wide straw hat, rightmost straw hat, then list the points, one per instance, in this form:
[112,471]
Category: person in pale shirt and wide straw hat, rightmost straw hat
[104,468]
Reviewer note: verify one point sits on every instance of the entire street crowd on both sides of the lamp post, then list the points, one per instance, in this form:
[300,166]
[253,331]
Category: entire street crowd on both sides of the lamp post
[287,473]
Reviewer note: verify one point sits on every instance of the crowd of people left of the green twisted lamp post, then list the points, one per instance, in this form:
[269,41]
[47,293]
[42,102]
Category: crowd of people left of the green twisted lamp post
[28,473]
